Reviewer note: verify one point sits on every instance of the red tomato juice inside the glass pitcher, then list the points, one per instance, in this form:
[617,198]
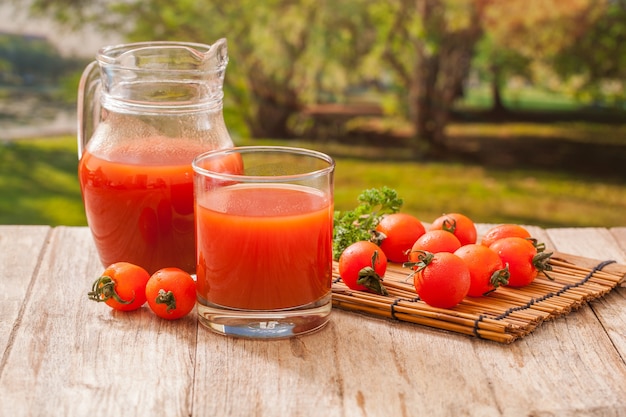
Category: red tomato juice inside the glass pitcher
[140,212]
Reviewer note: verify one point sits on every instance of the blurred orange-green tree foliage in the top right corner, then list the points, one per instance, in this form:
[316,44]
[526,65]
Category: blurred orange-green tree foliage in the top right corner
[547,41]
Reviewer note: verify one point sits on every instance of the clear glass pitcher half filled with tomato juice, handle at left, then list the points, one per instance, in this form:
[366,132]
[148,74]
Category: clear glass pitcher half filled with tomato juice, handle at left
[145,110]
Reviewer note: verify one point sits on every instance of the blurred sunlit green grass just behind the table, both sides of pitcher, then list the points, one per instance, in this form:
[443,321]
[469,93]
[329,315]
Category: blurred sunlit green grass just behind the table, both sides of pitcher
[39,185]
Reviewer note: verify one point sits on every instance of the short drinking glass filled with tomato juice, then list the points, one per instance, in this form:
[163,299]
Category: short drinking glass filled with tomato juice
[264,220]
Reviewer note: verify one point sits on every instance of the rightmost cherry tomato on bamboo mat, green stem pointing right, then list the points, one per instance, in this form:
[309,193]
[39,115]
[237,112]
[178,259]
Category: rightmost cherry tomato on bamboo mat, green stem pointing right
[522,258]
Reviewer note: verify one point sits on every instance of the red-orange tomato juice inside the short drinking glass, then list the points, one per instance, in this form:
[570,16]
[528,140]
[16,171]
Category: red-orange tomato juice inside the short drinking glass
[264,247]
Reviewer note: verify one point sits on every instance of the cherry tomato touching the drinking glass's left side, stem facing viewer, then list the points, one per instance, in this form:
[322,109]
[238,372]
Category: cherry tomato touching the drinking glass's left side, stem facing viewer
[171,293]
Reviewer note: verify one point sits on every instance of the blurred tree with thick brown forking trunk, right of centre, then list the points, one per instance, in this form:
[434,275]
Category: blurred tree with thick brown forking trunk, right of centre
[428,45]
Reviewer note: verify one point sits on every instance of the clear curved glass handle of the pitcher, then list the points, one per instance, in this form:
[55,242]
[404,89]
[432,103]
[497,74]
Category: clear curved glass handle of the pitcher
[88,103]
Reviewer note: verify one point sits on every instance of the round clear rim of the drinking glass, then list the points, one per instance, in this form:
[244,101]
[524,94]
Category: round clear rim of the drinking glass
[264,149]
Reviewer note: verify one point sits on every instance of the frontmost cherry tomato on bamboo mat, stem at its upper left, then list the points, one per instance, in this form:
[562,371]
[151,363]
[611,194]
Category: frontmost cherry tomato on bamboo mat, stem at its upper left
[442,279]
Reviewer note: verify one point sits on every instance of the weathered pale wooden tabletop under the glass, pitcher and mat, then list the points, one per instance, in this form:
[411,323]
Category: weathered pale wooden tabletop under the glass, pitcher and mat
[62,355]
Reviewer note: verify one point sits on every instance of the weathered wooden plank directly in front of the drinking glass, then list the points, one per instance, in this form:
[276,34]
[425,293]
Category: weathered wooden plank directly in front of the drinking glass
[357,366]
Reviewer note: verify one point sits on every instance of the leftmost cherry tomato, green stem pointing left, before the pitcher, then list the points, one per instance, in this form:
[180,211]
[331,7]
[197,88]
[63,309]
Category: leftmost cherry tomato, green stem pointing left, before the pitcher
[121,286]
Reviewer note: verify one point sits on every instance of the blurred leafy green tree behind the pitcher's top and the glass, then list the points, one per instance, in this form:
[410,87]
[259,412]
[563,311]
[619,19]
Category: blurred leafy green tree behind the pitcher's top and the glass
[282,52]
